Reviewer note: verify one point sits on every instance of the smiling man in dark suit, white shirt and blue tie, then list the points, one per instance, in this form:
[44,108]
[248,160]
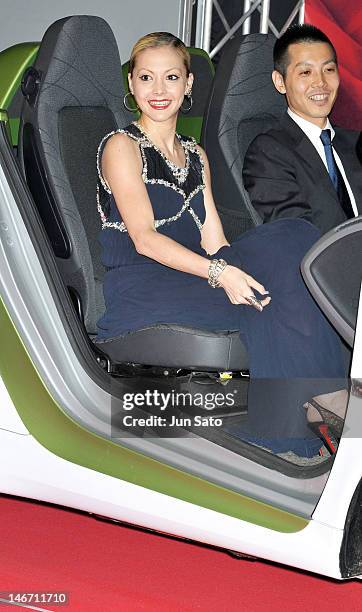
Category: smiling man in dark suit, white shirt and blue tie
[304,167]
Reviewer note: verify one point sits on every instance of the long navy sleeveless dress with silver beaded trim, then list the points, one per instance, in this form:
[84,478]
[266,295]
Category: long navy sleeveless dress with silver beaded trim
[294,353]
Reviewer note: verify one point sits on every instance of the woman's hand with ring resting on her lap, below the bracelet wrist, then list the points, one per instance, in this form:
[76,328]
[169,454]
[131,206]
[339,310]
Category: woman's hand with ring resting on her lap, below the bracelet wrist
[239,286]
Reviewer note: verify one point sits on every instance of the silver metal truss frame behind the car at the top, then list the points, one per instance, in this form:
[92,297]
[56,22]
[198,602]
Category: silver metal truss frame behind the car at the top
[204,20]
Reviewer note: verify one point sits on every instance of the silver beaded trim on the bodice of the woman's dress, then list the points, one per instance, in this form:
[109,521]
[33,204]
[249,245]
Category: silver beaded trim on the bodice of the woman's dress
[180,176]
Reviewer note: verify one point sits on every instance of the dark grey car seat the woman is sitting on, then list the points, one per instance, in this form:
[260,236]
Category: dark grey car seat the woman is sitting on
[73,97]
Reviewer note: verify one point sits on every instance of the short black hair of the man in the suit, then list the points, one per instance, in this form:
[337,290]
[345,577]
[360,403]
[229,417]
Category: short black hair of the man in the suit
[304,33]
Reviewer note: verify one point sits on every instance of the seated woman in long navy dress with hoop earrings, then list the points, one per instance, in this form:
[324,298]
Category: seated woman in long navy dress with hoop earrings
[168,261]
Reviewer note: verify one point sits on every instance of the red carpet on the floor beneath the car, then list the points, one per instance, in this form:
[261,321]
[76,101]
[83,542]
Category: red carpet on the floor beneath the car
[107,567]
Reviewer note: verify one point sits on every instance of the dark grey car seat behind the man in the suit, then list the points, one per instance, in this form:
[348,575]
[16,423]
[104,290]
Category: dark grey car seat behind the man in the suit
[243,103]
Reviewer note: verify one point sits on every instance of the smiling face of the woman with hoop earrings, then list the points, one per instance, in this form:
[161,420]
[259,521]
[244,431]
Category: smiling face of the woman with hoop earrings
[159,82]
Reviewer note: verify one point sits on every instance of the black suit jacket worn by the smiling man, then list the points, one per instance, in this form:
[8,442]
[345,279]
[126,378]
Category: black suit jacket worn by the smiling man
[286,177]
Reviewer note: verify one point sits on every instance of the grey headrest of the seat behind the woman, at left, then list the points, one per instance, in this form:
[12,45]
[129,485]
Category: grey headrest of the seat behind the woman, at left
[79,59]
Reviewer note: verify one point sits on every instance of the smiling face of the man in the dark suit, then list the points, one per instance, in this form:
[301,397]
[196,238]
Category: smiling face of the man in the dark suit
[311,82]
